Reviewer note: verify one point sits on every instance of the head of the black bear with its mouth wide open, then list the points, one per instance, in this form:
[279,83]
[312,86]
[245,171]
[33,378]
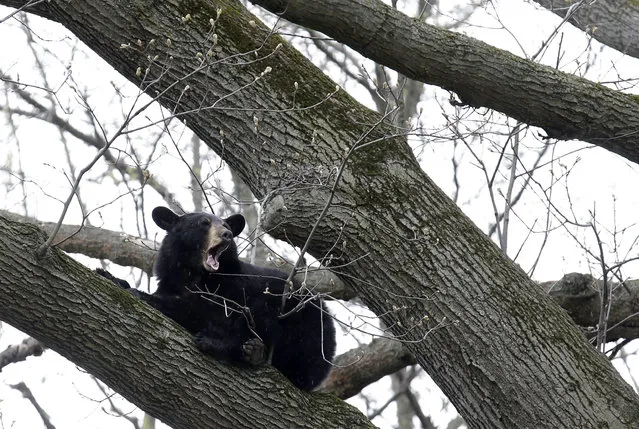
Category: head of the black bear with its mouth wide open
[195,243]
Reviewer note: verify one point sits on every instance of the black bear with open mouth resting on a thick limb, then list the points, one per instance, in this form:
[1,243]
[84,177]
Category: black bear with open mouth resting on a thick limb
[234,308]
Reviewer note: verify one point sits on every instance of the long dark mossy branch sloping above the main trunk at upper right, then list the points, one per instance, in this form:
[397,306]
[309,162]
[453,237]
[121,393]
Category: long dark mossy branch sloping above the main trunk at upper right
[565,106]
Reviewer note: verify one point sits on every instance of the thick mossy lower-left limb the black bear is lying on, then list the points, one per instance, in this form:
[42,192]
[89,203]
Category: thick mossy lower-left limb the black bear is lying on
[139,353]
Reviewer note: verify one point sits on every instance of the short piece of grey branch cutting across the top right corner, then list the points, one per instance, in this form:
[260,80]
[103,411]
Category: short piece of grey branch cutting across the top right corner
[614,23]
